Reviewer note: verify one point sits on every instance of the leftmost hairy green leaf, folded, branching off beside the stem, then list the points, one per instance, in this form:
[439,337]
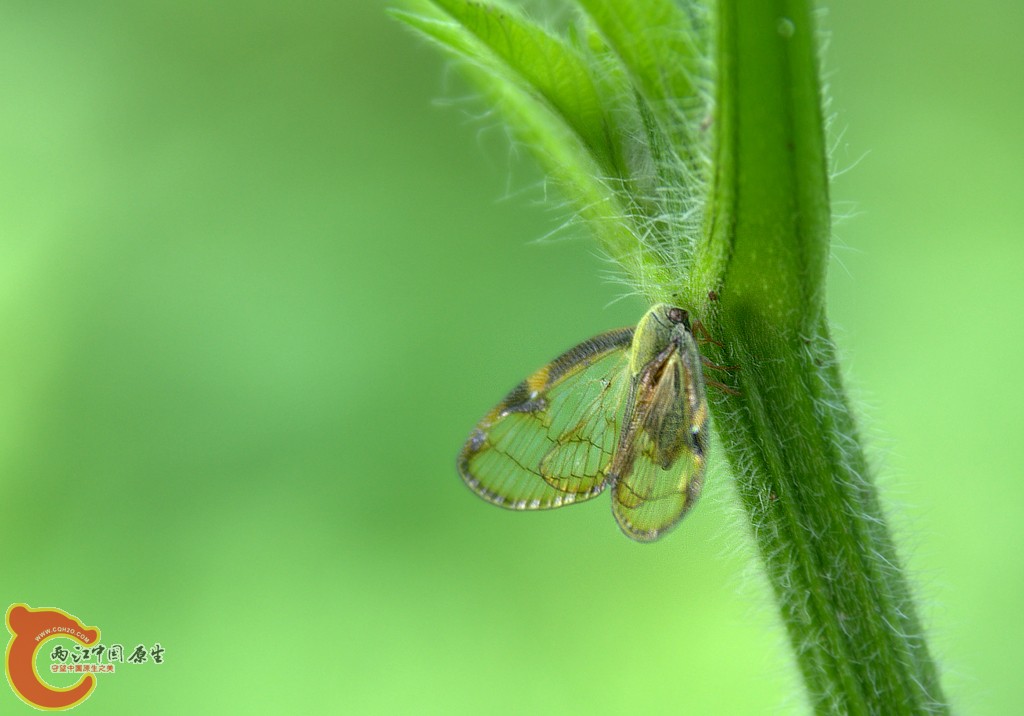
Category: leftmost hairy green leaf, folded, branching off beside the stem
[584,131]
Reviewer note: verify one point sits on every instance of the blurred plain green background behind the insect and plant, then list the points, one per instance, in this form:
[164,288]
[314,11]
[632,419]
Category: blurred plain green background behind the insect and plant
[257,287]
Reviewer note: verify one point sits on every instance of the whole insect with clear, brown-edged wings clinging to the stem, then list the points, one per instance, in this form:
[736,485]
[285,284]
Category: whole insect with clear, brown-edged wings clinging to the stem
[624,411]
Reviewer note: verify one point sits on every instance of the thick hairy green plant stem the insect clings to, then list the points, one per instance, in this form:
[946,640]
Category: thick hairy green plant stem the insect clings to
[791,436]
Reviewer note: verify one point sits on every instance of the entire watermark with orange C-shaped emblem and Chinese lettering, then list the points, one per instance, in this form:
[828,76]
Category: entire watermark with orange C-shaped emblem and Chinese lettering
[73,650]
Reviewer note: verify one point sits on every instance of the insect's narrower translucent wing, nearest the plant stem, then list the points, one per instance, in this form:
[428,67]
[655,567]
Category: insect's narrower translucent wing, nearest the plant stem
[659,470]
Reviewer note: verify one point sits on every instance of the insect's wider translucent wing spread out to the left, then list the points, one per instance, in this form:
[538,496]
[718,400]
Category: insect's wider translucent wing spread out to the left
[551,441]
